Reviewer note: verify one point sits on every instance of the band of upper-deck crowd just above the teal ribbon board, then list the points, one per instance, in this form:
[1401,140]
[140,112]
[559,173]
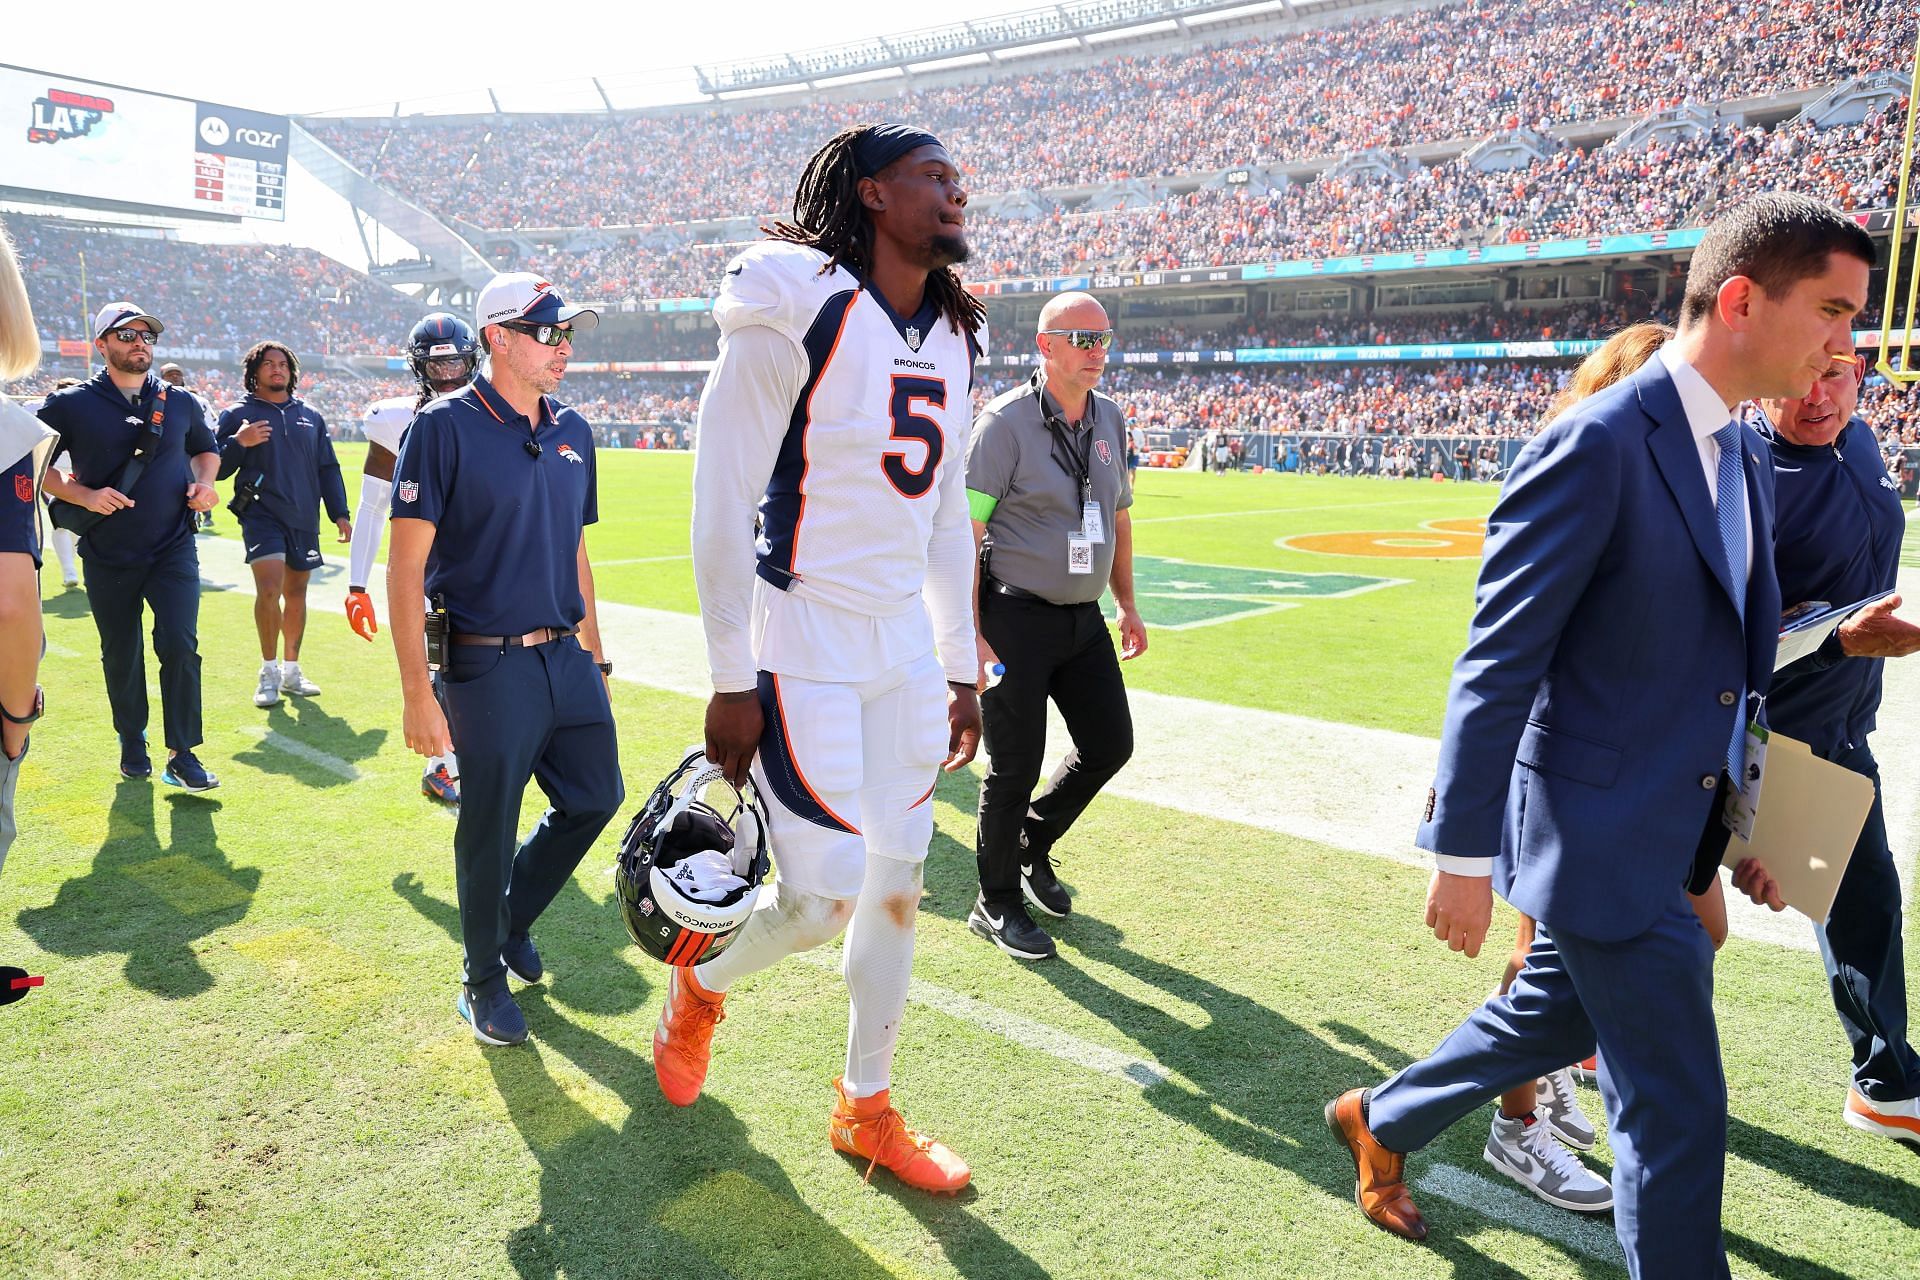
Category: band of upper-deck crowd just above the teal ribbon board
[1570,193]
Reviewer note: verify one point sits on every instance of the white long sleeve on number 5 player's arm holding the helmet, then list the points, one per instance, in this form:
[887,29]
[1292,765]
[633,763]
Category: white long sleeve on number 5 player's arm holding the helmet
[744,417]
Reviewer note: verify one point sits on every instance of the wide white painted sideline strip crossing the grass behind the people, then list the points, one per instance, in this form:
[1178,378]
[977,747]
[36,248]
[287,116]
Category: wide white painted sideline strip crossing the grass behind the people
[1333,784]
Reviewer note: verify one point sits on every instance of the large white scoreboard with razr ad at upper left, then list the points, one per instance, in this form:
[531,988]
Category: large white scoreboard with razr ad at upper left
[78,139]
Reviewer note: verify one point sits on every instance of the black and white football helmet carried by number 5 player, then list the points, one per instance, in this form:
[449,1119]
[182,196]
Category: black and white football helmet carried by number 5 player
[688,874]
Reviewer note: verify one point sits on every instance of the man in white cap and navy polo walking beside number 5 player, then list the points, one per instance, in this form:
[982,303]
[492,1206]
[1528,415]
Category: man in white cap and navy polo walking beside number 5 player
[492,496]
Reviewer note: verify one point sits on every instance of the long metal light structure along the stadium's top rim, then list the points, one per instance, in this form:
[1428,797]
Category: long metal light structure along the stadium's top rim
[986,36]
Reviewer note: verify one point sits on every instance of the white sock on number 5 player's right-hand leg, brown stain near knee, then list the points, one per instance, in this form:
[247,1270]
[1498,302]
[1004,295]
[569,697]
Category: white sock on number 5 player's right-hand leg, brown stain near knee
[878,964]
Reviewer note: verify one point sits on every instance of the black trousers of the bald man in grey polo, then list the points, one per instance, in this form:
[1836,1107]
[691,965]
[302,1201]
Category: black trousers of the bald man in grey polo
[1061,653]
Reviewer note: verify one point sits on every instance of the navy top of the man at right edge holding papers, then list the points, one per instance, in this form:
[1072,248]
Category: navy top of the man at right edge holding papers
[1838,529]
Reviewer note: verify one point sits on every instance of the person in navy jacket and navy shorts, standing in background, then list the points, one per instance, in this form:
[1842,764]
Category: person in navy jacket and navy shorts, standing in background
[285,462]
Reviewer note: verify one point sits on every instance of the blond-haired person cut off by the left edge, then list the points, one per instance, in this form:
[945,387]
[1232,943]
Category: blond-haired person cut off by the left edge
[24,444]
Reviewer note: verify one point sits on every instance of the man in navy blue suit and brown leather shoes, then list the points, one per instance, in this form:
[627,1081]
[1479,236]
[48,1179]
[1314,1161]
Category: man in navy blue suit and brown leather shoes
[1625,615]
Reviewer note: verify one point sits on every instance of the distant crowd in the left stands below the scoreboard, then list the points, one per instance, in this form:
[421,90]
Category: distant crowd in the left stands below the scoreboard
[218,296]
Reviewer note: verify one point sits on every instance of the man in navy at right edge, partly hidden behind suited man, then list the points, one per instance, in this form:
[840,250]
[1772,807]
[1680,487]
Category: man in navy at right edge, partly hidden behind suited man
[1840,540]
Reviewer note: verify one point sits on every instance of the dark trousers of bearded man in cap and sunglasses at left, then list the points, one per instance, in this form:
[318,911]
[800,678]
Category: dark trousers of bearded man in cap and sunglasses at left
[170,586]
